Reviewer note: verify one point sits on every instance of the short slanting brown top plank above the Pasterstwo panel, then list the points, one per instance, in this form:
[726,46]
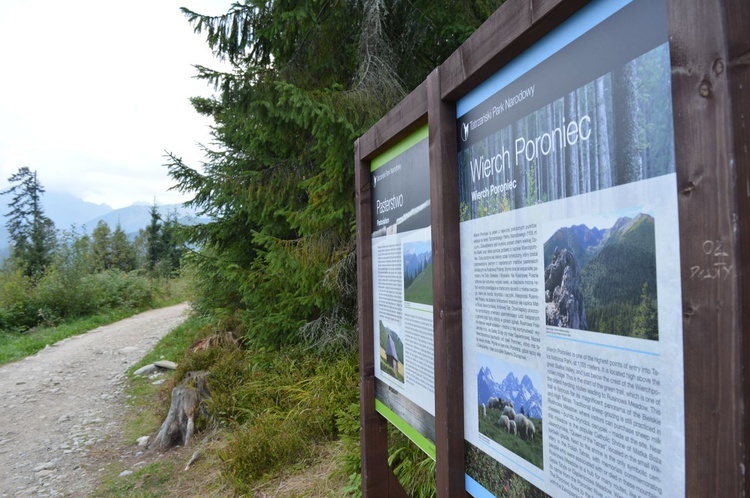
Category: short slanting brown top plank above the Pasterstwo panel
[401,121]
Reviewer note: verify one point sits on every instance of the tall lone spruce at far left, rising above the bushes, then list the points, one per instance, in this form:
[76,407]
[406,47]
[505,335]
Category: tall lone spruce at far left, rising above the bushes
[32,234]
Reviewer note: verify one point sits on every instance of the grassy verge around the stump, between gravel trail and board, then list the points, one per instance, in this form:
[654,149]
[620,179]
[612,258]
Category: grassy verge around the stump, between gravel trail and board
[276,428]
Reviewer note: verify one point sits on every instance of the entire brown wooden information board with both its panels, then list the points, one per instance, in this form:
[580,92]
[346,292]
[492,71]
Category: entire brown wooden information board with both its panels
[587,165]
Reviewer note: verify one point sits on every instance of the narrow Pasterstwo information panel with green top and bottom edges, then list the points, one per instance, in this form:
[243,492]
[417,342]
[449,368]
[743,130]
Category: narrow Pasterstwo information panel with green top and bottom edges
[402,289]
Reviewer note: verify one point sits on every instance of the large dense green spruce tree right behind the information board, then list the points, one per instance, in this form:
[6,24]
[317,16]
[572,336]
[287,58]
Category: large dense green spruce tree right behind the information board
[307,78]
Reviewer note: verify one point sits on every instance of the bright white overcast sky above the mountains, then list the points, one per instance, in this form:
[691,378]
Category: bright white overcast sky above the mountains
[93,92]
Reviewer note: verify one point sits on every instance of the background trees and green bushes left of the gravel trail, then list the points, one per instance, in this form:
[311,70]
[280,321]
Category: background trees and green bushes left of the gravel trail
[55,275]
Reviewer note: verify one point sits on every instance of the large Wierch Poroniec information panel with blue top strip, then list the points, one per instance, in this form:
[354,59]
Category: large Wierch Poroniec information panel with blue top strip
[570,264]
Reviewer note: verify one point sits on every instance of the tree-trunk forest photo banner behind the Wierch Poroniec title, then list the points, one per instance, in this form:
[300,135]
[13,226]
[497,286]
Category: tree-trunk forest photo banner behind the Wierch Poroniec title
[614,130]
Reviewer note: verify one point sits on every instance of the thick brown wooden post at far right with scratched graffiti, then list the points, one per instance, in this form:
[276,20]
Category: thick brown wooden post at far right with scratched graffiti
[702,100]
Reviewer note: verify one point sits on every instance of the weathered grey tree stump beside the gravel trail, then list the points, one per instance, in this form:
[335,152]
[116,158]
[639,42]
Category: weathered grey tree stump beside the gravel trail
[187,402]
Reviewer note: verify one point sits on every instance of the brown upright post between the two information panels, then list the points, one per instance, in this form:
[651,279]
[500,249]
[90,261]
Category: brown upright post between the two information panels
[444,210]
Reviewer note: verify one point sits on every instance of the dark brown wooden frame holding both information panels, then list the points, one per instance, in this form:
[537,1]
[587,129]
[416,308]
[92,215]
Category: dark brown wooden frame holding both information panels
[710,81]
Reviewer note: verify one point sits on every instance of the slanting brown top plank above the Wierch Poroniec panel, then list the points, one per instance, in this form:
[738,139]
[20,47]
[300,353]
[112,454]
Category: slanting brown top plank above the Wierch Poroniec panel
[513,28]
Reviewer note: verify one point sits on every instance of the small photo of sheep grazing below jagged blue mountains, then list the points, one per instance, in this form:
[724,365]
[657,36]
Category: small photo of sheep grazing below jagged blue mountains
[510,408]
